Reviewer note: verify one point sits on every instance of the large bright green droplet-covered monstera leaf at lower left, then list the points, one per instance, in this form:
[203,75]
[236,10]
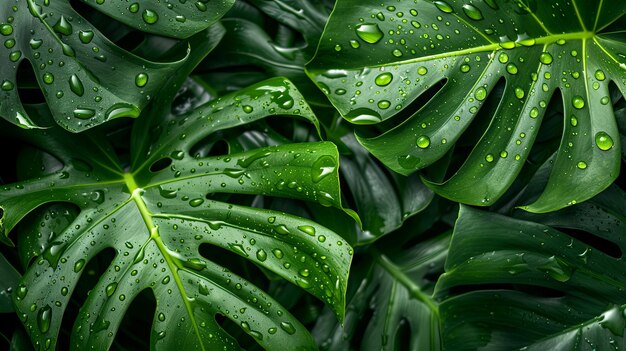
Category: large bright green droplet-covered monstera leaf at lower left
[156,207]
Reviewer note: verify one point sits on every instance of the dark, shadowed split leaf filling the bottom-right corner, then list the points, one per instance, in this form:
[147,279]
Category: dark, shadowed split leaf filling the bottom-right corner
[545,282]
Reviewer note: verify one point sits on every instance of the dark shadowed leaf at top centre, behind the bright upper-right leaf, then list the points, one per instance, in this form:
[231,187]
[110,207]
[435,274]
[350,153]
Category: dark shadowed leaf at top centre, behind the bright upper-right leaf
[266,39]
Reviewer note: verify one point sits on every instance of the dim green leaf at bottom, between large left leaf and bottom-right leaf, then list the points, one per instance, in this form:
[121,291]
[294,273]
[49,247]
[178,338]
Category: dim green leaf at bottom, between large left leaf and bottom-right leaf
[392,308]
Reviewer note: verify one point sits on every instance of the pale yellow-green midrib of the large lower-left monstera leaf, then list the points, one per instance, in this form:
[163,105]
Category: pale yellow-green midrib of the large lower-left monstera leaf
[153,229]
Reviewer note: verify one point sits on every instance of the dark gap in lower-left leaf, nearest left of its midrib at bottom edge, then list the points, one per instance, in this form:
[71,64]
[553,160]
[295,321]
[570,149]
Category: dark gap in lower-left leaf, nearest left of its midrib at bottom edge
[136,327]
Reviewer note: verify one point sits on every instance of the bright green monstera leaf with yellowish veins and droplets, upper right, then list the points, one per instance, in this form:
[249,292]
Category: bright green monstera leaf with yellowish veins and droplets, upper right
[374,61]
